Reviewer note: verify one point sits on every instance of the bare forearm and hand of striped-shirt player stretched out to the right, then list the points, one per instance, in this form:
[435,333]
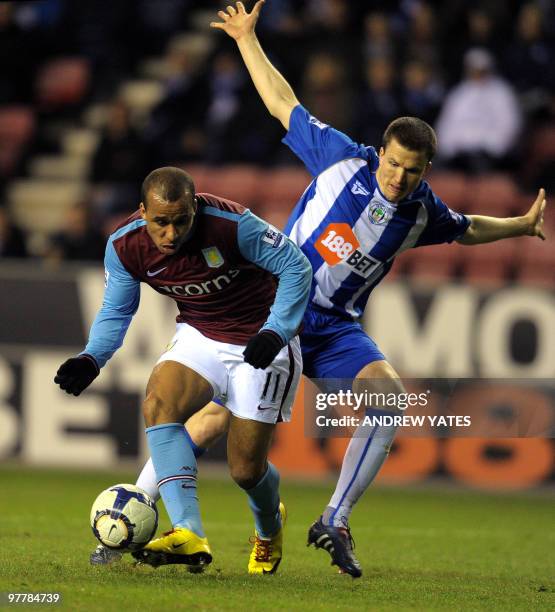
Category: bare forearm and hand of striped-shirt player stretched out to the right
[487,229]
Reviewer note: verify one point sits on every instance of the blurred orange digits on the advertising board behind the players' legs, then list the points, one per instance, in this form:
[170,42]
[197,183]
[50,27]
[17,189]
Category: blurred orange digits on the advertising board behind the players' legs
[496,462]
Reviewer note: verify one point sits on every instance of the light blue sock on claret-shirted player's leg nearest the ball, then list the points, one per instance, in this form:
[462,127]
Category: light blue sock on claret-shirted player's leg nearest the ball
[176,469]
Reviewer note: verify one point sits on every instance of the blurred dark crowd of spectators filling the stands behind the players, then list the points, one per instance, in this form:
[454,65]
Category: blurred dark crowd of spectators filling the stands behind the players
[482,73]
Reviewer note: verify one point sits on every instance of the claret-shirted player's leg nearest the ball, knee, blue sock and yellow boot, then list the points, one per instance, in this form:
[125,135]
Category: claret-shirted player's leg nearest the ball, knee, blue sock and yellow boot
[174,393]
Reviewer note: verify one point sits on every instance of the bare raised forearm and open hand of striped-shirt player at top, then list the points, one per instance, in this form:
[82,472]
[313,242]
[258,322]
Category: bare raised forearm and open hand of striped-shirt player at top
[275,91]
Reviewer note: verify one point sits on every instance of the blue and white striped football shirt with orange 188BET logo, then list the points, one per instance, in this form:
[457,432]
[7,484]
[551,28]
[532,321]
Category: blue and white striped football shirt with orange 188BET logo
[345,226]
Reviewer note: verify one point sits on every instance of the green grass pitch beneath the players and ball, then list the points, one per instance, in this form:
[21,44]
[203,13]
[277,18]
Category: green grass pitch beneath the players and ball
[421,549]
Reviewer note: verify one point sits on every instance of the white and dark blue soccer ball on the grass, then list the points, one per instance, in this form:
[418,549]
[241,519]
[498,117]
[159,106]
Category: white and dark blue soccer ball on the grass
[124,517]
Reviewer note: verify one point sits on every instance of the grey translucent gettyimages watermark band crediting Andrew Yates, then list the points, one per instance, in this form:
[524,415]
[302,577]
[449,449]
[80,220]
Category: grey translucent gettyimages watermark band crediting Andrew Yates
[430,407]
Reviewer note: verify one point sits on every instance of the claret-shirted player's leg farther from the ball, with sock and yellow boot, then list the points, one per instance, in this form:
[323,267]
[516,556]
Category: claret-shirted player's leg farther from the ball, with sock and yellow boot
[247,451]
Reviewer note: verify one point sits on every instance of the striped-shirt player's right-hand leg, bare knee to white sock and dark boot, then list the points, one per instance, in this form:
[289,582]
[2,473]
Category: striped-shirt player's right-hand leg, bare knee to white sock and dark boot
[363,459]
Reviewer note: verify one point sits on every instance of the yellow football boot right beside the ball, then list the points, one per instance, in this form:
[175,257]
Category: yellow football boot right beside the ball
[179,545]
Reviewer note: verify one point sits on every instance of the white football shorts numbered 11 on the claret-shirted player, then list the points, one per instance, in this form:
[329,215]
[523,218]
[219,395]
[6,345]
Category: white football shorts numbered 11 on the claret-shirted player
[248,393]
